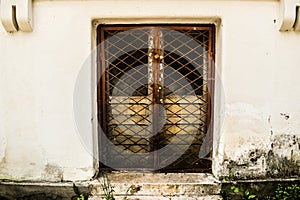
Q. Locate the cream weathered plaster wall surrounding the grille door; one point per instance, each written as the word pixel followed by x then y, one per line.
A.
pixel 257 108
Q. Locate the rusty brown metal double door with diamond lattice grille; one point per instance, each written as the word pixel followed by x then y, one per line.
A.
pixel 155 96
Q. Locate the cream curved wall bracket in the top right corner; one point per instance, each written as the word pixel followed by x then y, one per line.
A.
pixel 289 15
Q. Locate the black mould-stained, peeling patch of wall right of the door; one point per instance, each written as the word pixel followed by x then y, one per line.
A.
pixel 280 159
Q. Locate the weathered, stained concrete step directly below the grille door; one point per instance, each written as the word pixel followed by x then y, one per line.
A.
pixel 152 186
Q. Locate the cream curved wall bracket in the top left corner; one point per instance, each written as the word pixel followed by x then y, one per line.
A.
pixel 16 15
